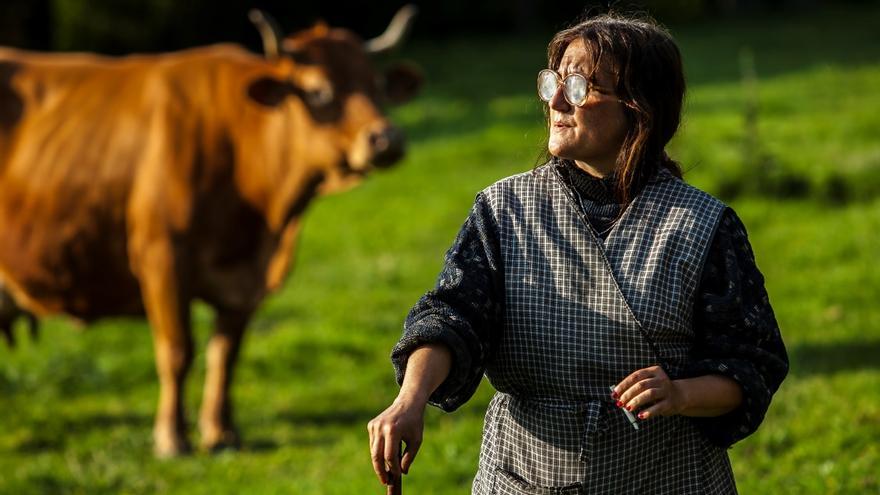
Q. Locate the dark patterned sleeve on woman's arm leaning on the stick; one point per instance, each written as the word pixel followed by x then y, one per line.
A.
pixel 463 311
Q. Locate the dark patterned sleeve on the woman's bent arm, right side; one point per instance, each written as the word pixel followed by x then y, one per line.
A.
pixel 737 333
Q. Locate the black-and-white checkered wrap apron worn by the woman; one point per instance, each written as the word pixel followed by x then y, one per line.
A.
pixel 580 316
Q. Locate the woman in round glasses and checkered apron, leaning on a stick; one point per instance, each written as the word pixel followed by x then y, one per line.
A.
pixel 617 311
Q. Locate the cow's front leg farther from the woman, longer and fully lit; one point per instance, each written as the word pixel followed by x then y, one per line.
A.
pixel 169 314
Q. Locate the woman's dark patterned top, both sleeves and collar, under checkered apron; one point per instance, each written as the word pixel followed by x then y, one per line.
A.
pixel 737 333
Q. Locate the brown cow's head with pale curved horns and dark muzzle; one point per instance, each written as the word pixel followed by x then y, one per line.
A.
pixel 324 79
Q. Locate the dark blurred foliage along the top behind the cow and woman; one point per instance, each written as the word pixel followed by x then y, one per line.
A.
pixel 123 26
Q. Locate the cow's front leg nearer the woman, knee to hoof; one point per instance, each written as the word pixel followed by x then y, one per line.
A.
pixel 215 420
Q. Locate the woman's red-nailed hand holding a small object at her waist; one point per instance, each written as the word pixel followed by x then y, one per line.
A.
pixel 650 391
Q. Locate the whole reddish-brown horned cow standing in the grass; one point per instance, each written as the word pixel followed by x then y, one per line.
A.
pixel 134 185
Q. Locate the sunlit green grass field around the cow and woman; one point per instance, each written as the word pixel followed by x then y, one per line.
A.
pixel 76 407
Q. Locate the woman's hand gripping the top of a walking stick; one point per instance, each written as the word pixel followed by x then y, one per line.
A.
pixel 403 421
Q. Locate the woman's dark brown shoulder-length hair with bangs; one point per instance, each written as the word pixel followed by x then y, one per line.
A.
pixel 649 80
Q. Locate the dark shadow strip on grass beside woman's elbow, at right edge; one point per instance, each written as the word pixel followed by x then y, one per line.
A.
pixel 811 359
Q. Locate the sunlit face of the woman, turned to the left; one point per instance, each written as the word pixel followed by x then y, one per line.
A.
pixel 592 133
